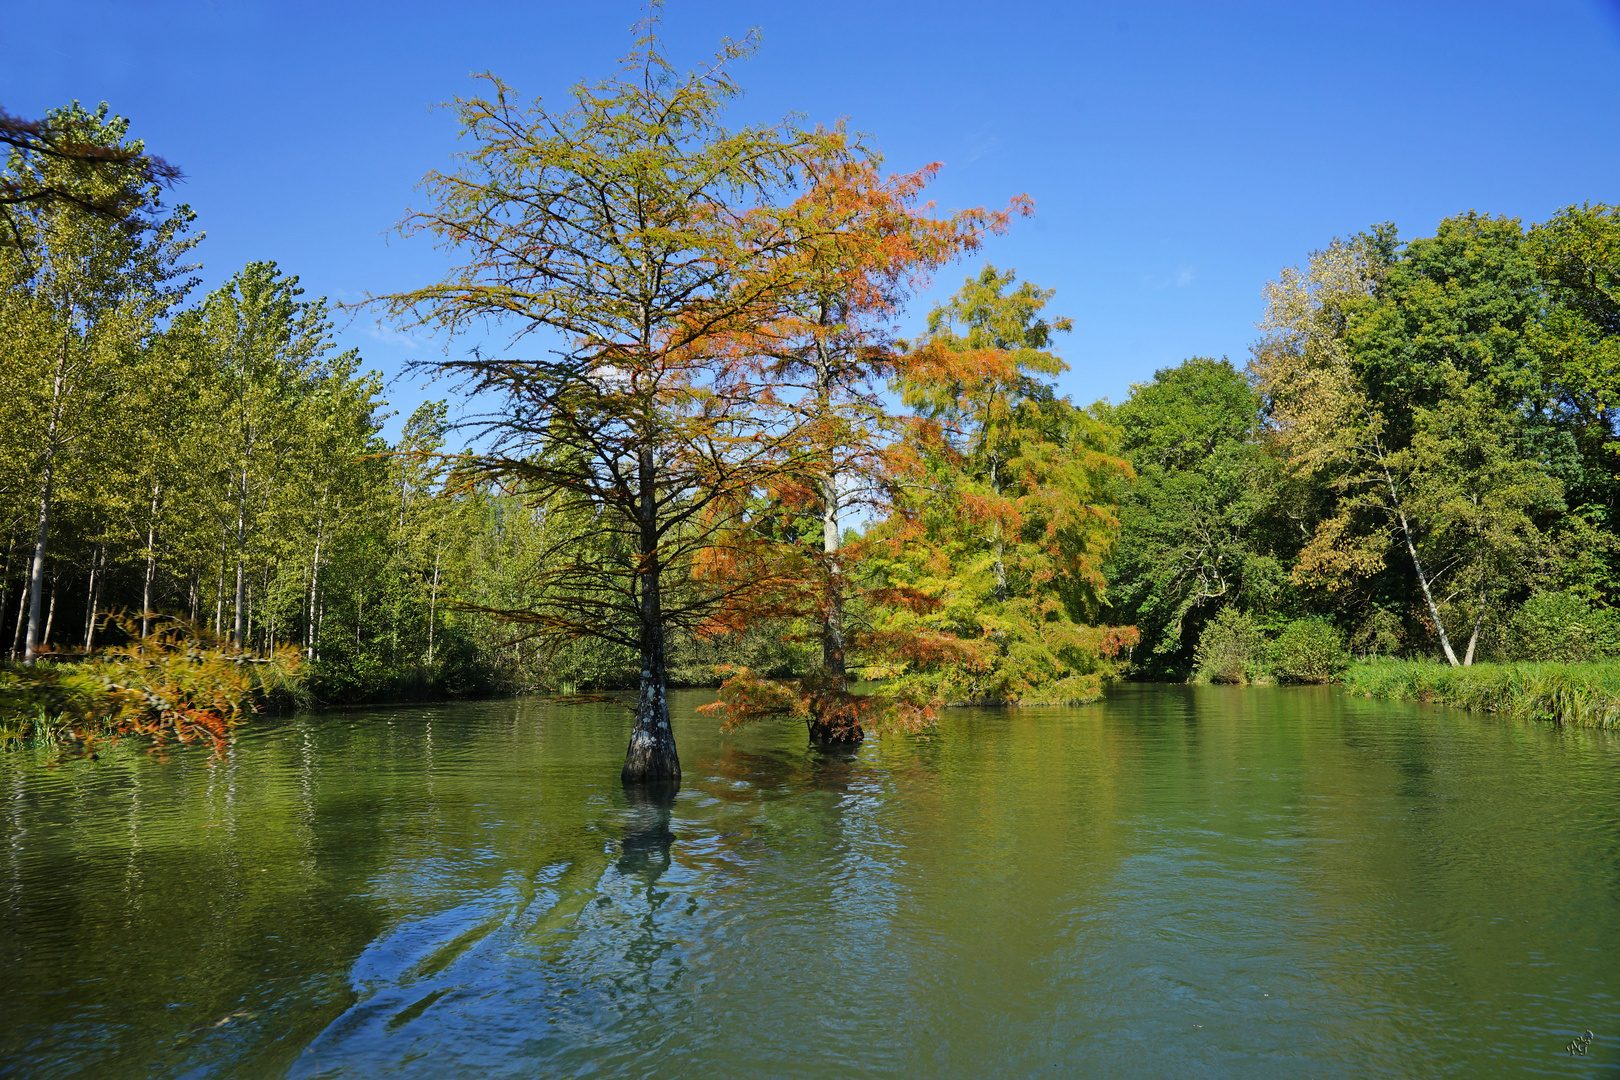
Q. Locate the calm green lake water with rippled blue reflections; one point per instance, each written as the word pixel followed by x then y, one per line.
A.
pixel 1175 883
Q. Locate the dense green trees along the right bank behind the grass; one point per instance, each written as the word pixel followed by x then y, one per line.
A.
pixel 1422 454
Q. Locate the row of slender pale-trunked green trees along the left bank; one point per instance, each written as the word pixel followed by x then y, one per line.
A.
pixel 218 459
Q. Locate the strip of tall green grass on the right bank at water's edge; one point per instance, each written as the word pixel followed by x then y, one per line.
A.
pixel 1585 695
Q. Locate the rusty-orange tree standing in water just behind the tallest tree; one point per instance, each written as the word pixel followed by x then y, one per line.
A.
pixel 824 365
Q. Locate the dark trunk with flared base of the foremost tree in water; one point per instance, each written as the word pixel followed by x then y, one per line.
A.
pixel 652 754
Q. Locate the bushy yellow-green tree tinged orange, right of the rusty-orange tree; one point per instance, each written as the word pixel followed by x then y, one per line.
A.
pixel 1021 500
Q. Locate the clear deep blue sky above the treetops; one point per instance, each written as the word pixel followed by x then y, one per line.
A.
pixel 1179 153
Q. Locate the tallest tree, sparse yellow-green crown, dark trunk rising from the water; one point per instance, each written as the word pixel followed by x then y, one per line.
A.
pixel 623 249
